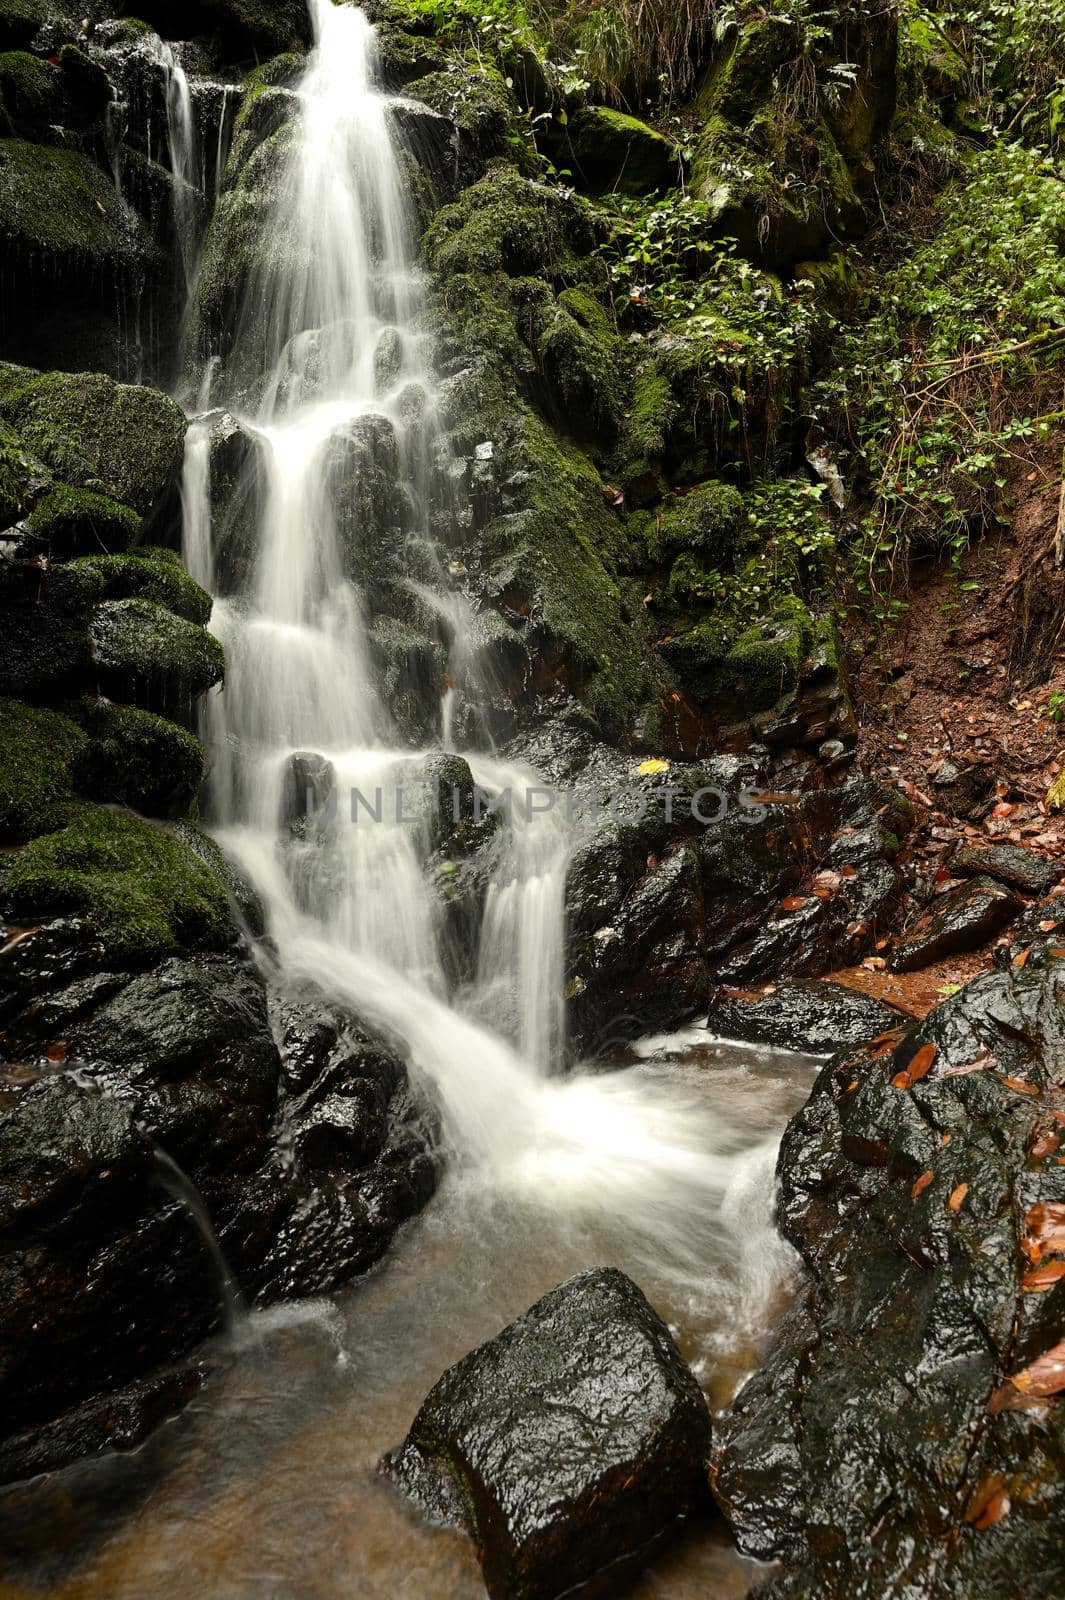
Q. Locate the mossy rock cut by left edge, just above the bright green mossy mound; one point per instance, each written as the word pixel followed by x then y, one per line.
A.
pixel 38 750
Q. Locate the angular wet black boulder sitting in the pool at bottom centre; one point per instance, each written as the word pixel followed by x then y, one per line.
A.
pixel 570 1447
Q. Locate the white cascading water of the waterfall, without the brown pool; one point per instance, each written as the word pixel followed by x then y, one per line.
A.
pixel 349 906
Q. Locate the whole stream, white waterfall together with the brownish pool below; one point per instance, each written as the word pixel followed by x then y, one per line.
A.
pixel 663 1167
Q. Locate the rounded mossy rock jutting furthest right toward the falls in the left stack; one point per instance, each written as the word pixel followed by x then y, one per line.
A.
pixel 143 650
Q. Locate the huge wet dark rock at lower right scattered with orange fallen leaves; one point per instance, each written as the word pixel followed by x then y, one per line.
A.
pixel 895 1439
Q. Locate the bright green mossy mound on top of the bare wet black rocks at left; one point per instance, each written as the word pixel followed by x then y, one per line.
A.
pixel 142 890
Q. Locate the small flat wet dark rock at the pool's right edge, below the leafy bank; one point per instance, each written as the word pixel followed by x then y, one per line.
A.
pixel 818 1018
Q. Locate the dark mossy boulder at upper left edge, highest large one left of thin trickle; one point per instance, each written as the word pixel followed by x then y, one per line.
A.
pixel 60 207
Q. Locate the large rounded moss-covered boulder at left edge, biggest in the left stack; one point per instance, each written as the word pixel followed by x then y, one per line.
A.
pixel 97 434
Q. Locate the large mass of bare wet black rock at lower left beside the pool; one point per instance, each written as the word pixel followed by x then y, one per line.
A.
pixel 301 1135
